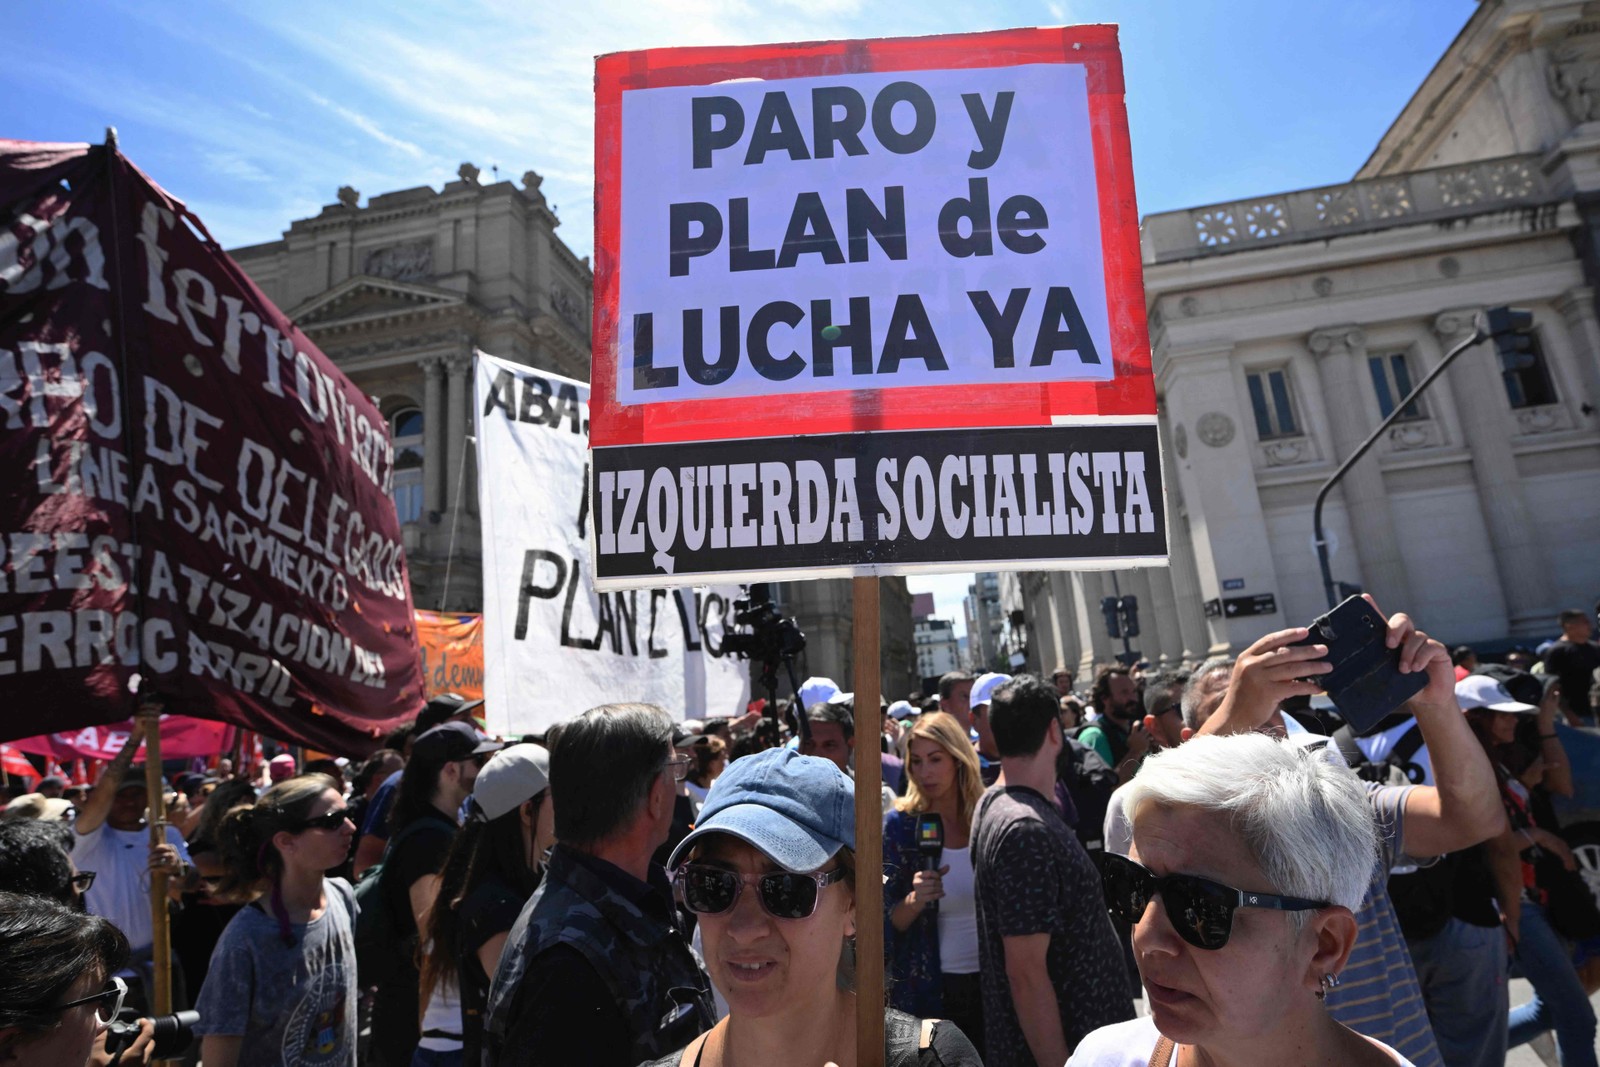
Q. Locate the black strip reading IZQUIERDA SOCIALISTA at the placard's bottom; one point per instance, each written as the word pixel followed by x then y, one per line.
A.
pixel 878 503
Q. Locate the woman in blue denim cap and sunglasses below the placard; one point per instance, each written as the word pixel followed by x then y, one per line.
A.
pixel 770 874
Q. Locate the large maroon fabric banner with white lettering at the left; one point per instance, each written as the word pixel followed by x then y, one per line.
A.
pixel 196 500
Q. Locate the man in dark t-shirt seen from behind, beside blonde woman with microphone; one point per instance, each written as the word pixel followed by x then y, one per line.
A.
pixel 1052 967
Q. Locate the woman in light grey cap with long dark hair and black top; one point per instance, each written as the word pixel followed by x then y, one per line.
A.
pixel 495 865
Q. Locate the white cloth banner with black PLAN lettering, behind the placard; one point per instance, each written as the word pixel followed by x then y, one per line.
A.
pixel 553 647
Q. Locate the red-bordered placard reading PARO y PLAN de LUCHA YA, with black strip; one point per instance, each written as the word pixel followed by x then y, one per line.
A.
pixel 870 308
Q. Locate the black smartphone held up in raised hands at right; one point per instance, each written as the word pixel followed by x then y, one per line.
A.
pixel 1366 682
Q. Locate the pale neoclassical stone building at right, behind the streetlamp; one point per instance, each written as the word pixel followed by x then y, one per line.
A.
pixel 1287 327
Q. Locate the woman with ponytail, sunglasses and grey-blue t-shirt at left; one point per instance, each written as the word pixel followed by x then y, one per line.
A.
pixel 282 981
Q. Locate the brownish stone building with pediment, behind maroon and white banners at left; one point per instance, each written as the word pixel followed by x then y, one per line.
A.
pixel 401 290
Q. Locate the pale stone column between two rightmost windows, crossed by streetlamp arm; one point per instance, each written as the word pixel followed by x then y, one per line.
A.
pixel 1489 428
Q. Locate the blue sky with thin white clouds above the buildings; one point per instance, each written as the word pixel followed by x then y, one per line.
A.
pixel 257 113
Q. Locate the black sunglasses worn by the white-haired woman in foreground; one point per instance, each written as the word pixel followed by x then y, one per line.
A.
pixel 1201 911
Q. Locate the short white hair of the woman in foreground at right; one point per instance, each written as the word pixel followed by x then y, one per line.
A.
pixel 1302 815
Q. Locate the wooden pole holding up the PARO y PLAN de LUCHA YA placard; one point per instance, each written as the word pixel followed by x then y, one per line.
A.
pixel 870 829
